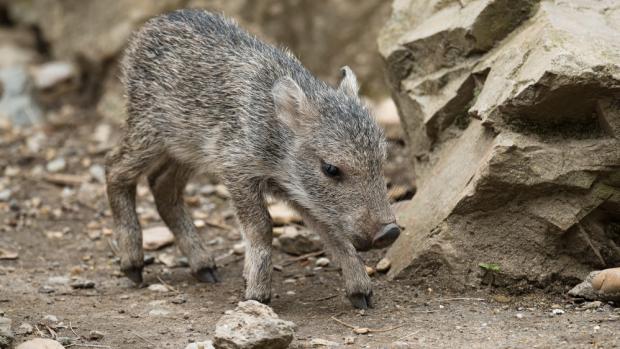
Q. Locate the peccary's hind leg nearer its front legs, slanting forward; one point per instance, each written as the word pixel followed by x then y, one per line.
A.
pixel 167 185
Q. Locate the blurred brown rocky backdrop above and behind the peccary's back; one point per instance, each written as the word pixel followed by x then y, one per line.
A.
pixel 69 50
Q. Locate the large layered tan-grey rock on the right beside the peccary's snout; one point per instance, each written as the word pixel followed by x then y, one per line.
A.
pixel 512 112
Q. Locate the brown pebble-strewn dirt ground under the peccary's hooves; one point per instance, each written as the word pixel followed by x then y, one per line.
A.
pixel 63 231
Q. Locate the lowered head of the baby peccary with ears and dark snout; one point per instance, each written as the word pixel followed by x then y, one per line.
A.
pixel 335 162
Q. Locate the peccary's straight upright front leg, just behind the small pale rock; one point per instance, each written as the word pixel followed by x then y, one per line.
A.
pixel 256 227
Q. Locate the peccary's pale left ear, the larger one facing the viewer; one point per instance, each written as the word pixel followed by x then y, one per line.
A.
pixel 291 102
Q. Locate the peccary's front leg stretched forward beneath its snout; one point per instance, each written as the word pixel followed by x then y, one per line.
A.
pixel 357 283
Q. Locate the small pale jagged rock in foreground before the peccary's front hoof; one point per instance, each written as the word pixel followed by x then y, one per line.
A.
pixel 252 325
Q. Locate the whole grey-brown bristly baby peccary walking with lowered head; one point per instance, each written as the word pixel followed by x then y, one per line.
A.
pixel 205 96
